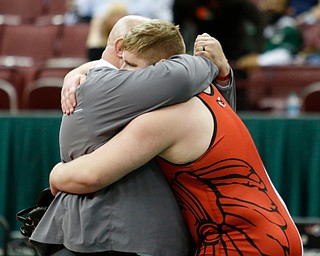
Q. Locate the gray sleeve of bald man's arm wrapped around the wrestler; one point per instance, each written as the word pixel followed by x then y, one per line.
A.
pixel 167 82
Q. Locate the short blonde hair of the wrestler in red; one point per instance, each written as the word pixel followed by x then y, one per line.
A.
pixel 154 40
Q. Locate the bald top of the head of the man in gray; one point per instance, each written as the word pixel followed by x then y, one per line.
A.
pixel 124 25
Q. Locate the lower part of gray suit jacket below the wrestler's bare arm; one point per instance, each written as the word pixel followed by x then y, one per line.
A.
pixel 137 214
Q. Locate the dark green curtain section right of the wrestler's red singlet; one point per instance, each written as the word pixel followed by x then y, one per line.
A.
pixel 290 150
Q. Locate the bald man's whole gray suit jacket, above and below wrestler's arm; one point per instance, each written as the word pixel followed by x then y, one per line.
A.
pixel 138 213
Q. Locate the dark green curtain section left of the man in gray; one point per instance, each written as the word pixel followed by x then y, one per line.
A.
pixel 29 149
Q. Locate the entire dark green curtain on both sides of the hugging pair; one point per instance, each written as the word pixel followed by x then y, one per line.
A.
pixel 289 148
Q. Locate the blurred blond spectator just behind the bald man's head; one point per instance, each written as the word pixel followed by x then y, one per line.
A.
pixel 100 27
